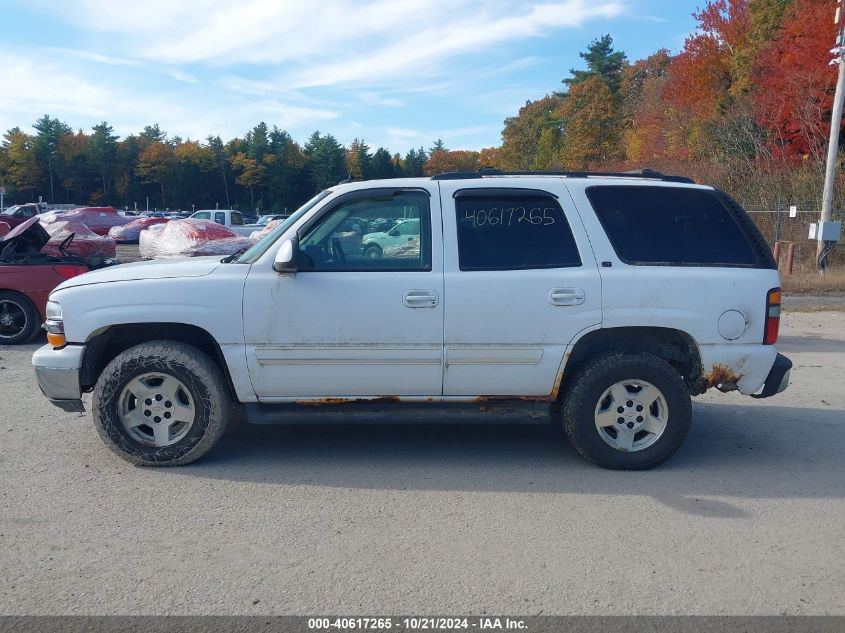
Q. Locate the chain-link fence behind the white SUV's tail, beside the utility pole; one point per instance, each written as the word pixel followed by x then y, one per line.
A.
pixel 776 223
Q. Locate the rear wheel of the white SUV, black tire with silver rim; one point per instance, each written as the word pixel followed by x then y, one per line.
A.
pixel 612 424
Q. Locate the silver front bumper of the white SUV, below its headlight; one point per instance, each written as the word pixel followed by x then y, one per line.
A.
pixel 57 373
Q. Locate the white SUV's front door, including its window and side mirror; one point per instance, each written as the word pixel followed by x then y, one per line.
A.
pixel 348 324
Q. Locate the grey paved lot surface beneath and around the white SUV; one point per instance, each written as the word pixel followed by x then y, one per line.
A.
pixel 747 519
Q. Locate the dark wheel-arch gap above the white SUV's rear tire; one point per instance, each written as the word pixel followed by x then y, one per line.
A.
pixel 676 347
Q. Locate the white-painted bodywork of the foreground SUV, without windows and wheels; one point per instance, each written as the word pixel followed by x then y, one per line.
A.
pixel 442 334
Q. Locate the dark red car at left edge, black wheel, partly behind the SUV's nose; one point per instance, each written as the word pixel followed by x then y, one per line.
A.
pixel 27 277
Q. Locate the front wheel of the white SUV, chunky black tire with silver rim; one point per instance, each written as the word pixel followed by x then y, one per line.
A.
pixel 150 382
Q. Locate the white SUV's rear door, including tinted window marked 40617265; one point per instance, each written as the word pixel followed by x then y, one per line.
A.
pixel 520 281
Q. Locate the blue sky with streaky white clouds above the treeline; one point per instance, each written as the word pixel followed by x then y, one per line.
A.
pixel 397 73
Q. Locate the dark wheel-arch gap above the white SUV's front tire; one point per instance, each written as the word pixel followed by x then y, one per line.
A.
pixel 104 344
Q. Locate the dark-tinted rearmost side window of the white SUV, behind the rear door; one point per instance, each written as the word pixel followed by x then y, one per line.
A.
pixel 673 226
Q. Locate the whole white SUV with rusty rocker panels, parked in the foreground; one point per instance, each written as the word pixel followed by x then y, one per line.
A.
pixel 605 300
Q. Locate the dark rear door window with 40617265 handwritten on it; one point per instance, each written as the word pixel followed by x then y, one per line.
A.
pixel 512 229
